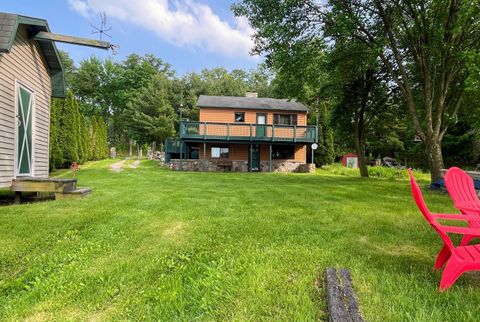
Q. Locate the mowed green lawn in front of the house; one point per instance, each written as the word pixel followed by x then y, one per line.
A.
pixel 151 244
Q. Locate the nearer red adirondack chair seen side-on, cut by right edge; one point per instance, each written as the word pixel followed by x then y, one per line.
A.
pixel 458 259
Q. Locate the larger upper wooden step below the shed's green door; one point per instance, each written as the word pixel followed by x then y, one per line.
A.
pixel 28 184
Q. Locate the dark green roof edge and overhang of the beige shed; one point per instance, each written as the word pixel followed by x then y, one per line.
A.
pixel 8 29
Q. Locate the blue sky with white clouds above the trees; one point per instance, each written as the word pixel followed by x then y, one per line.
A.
pixel 189 34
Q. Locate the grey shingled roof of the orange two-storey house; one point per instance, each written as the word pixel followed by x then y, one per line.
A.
pixel 253 103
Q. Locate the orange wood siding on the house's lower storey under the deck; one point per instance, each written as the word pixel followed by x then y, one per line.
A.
pixel 239 152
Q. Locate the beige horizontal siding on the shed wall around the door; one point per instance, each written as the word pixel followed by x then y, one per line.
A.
pixel 26 64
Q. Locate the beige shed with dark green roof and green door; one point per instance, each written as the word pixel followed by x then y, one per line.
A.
pixel 30 74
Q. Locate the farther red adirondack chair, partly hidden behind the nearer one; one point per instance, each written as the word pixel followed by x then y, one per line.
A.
pixel 462 191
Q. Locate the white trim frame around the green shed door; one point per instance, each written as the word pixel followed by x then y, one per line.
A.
pixel 18 85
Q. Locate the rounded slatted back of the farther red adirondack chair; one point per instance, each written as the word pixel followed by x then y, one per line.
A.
pixel 460 186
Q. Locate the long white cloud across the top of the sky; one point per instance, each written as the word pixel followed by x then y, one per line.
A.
pixel 184 23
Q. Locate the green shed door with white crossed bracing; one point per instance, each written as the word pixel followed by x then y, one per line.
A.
pixel 24 131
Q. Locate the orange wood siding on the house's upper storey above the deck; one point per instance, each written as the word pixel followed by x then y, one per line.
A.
pixel 226 115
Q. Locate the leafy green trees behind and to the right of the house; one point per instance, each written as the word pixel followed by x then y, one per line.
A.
pixel 338 59
